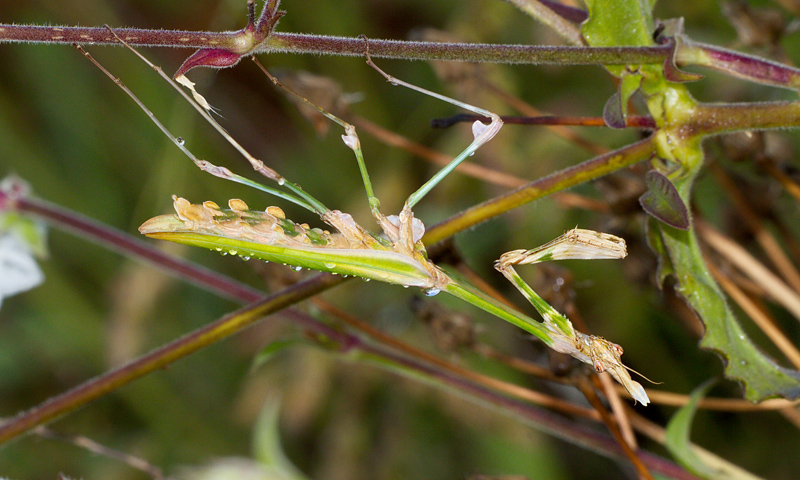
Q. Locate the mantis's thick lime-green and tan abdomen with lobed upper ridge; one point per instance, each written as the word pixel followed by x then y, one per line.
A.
pixel 397 257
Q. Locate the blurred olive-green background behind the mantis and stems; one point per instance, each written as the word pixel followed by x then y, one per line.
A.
pixel 81 143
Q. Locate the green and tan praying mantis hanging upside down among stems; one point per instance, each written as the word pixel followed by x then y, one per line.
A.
pixel 395 256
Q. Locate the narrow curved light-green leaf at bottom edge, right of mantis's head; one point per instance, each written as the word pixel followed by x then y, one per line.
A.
pixel 678 430
